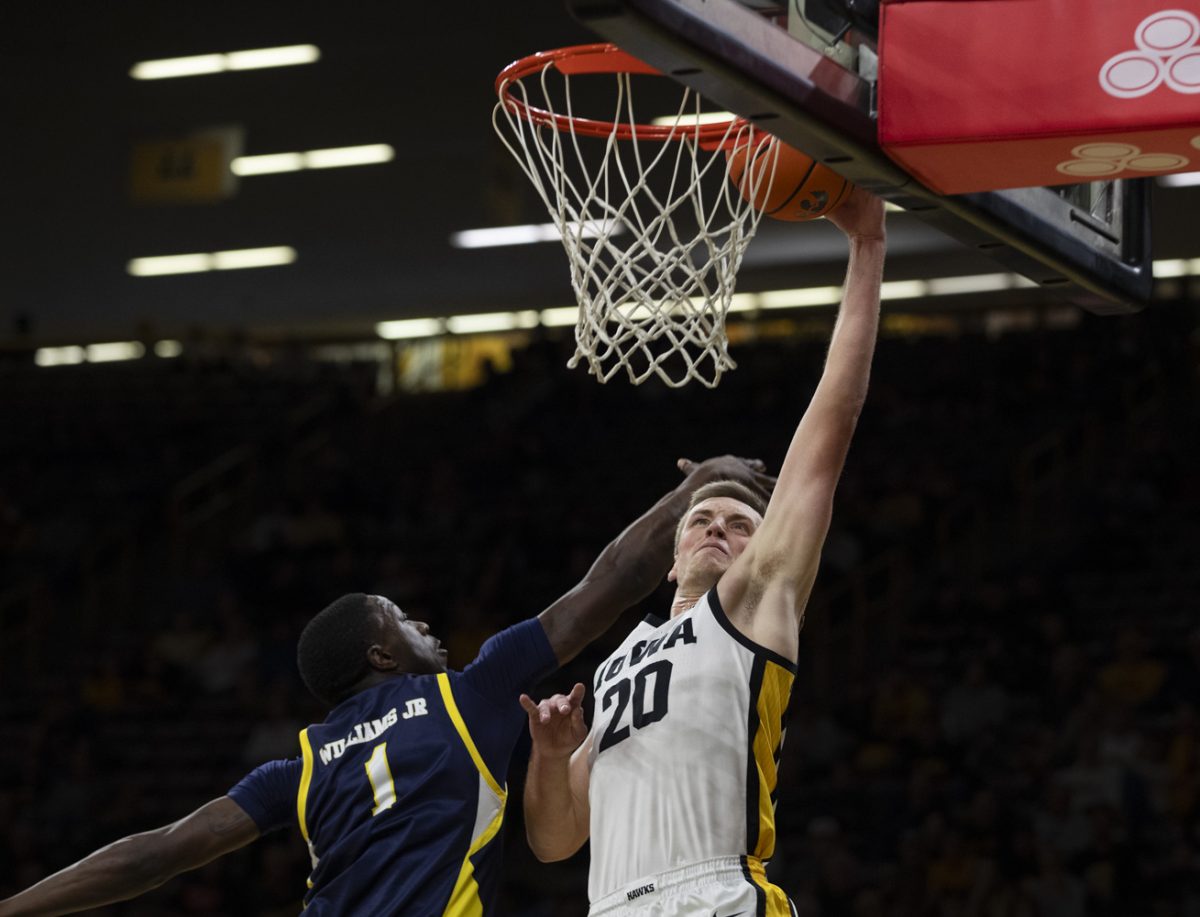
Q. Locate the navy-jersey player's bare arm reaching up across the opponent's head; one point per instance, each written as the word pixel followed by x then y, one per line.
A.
pixel 637 561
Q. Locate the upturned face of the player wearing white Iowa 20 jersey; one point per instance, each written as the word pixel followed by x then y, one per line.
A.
pixel 715 535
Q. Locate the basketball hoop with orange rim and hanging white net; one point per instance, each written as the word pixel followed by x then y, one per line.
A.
pixel 653 229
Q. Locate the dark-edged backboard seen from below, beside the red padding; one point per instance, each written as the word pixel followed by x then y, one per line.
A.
pixel 1091 242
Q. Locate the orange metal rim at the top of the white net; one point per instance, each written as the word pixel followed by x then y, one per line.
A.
pixel 599 58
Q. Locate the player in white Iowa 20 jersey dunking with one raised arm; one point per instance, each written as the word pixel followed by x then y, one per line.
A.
pixel 676 781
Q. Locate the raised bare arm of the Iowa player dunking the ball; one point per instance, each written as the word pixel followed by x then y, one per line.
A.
pixel 769 586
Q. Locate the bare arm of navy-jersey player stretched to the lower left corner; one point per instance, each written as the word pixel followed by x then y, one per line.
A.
pixel 136 865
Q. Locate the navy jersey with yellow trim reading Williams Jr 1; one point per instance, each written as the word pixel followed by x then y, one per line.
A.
pixel 400 792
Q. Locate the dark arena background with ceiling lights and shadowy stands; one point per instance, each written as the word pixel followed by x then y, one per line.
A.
pixel 1000 675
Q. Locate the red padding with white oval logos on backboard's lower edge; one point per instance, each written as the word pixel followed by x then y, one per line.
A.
pixel 980 95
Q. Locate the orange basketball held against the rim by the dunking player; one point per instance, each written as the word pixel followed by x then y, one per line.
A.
pixel 802 188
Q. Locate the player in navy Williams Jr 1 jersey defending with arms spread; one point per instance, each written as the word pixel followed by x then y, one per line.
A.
pixel 400 793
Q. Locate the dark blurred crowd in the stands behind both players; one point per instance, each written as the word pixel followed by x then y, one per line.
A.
pixel 1013 732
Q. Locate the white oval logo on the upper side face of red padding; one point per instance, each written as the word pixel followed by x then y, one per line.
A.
pixel 1168 52
